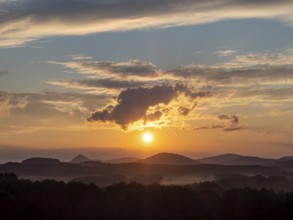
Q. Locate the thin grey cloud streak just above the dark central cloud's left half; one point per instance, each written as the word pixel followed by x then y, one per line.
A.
pixel 98 83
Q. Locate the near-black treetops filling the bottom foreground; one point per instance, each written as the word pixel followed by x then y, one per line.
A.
pixel 23 199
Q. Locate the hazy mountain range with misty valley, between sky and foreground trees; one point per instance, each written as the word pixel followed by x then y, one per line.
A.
pixel 159 167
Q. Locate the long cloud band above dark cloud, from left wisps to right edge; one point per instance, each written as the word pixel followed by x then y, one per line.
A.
pixel 251 68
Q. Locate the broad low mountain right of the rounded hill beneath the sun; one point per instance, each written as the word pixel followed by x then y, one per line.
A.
pixel 235 159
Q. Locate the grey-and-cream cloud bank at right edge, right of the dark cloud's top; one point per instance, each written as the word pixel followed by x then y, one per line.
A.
pixel 251 68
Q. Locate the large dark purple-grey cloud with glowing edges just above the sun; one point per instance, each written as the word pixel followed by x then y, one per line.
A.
pixel 133 104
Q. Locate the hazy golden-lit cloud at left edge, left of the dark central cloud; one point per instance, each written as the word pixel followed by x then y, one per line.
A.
pixel 40 105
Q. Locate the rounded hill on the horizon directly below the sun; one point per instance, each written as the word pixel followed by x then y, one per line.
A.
pixel 169 158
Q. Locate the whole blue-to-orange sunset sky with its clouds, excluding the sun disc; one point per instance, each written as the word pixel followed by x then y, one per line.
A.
pixel 92 76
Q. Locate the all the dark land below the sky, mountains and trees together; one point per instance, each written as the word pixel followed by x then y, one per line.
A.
pixel 163 186
